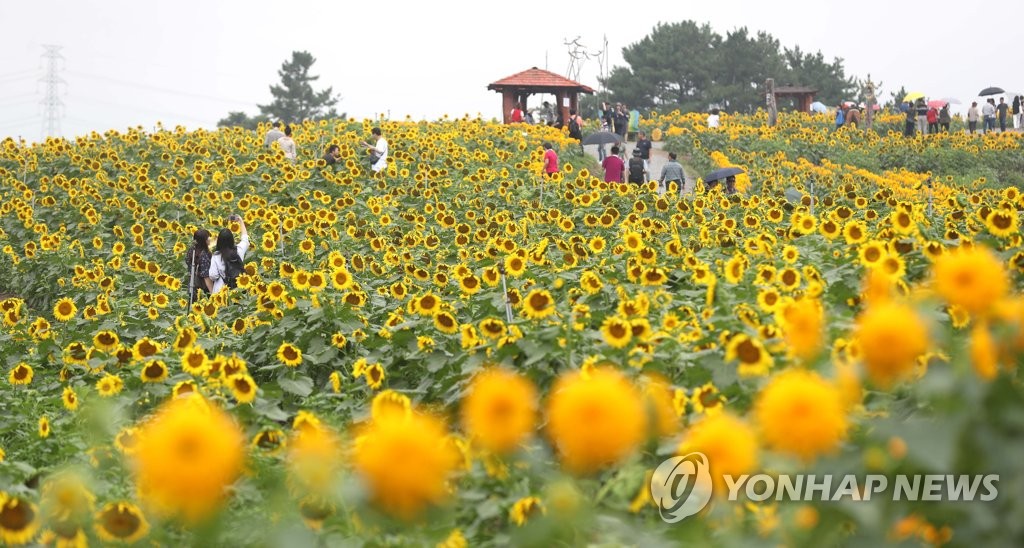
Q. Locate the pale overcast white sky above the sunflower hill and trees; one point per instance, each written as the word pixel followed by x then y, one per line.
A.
pixel 187 62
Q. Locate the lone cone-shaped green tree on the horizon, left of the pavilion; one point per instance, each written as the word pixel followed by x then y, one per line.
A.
pixel 294 99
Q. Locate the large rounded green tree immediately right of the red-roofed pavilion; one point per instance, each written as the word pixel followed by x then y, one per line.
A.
pixel 672 67
